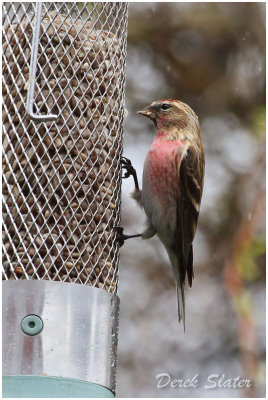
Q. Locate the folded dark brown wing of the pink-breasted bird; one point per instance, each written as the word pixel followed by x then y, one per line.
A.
pixel 190 172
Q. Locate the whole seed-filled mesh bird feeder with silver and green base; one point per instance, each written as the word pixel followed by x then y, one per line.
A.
pixel 63 111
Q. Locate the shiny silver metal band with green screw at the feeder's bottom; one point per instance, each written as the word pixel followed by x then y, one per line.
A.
pixel 58 330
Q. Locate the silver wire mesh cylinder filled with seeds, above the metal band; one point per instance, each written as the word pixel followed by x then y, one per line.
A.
pixel 62 178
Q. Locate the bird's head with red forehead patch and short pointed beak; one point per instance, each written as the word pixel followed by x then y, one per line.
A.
pixel 167 114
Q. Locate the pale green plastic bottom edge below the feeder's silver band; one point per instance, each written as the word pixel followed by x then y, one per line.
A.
pixel 48 386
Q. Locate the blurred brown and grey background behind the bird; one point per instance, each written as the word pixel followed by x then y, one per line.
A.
pixel 211 56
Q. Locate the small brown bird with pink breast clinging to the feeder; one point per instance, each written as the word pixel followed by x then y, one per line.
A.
pixel 172 186
